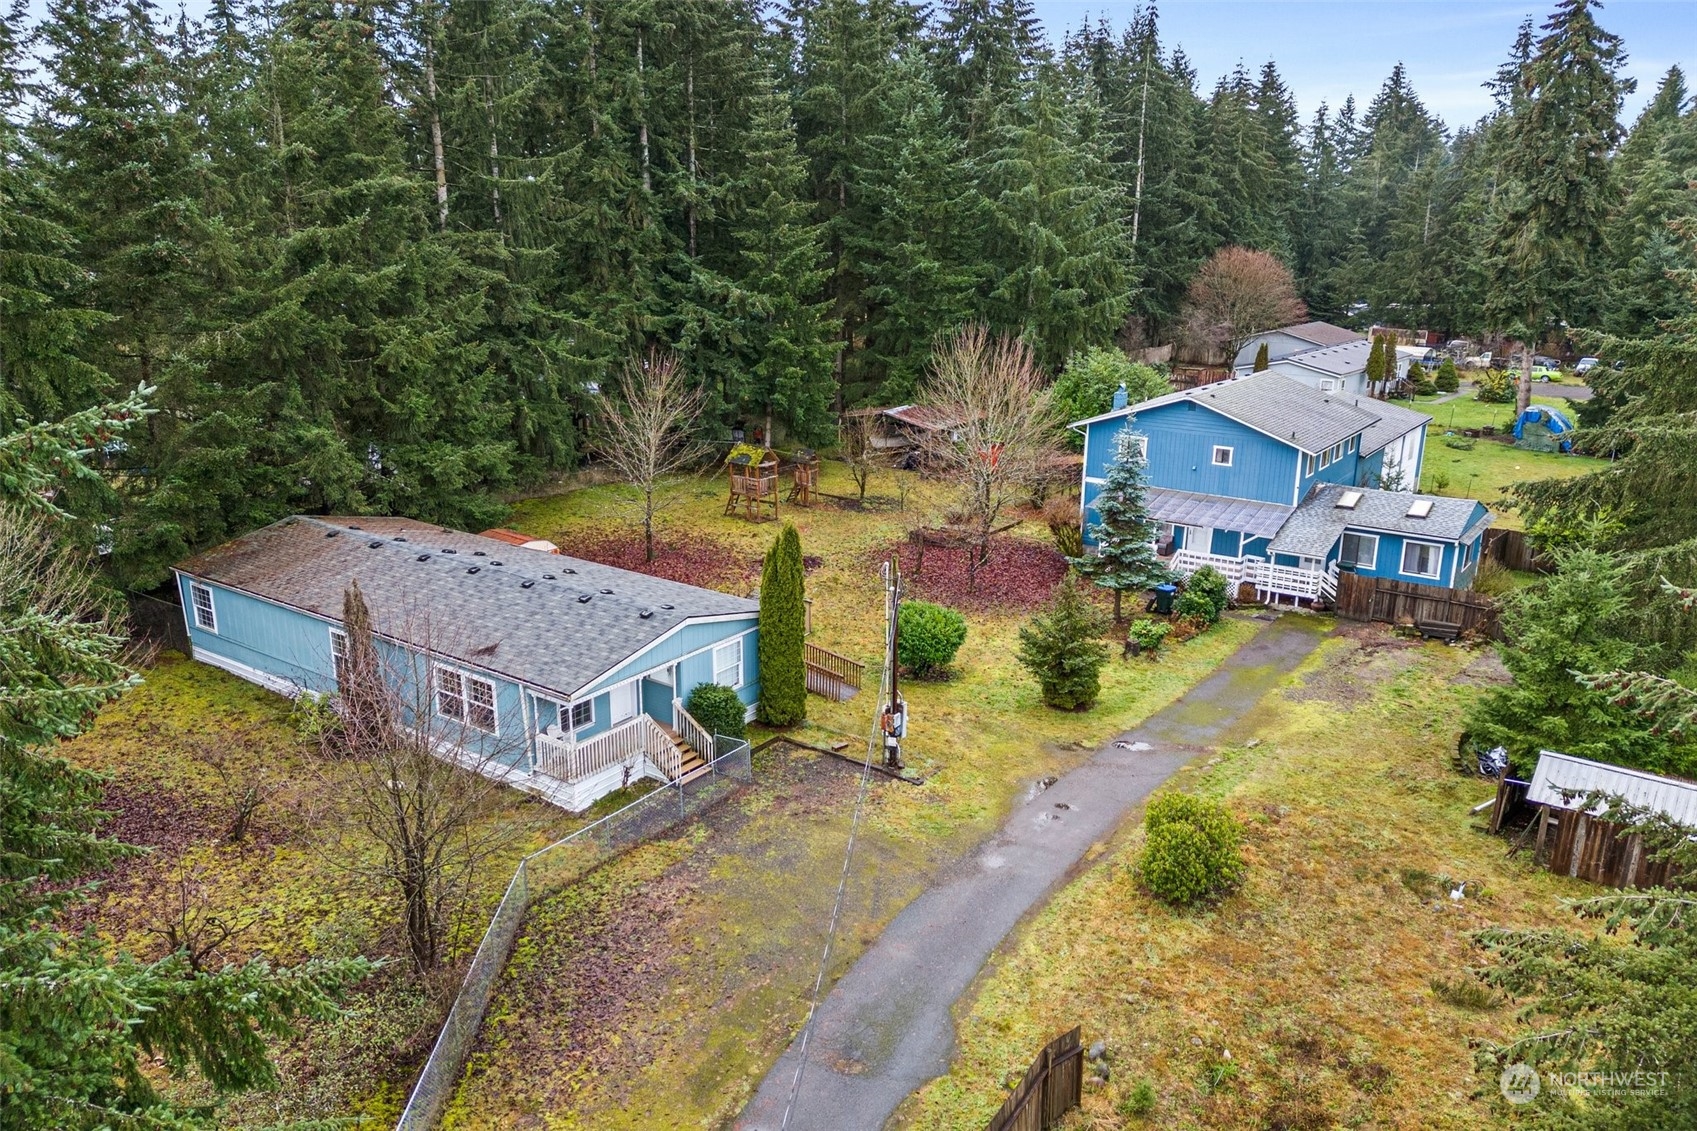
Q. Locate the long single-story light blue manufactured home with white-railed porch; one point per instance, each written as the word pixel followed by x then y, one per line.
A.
pixel 559 675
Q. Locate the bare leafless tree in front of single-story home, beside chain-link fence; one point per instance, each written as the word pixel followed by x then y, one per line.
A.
pixel 417 750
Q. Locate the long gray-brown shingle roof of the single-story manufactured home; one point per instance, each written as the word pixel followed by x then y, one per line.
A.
pixel 544 634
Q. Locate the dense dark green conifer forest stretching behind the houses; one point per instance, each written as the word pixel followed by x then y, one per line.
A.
pixel 379 257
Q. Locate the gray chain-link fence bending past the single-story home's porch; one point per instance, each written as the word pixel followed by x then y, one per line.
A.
pixel 539 875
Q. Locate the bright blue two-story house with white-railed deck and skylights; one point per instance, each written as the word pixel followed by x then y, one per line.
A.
pixel 1236 464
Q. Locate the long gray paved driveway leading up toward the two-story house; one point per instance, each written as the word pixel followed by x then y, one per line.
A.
pixel 887 1027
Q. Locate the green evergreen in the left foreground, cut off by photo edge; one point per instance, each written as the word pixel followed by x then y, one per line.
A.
pixel 77 1021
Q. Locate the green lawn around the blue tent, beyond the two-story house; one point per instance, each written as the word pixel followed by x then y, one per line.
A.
pixel 1491 466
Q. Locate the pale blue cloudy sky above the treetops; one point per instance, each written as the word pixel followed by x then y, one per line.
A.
pixel 1328 50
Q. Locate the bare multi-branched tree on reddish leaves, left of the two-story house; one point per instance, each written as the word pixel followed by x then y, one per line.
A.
pixel 1000 427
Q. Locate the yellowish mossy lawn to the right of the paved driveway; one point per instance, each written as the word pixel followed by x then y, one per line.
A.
pixel 1306 999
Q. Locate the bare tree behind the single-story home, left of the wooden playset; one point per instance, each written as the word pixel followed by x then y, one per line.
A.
pixel 644 429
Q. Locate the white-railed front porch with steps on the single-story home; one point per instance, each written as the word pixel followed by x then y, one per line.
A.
pixel 581 774
